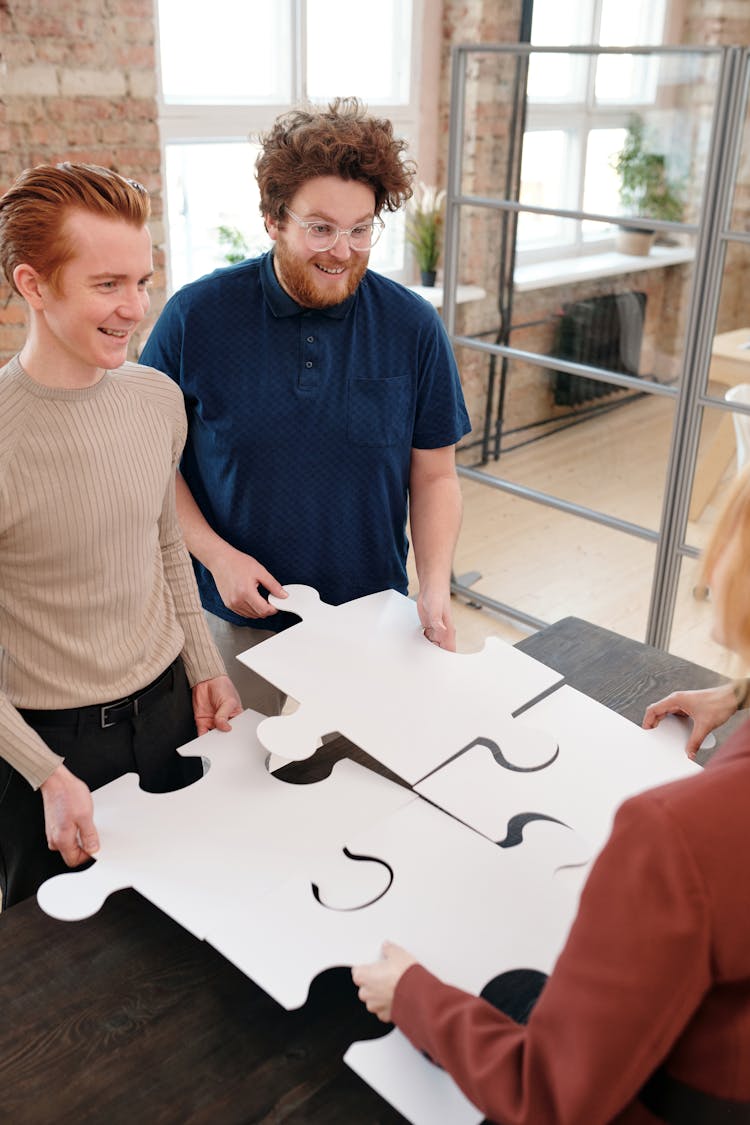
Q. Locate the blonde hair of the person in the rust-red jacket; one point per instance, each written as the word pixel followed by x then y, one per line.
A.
pixel 730 544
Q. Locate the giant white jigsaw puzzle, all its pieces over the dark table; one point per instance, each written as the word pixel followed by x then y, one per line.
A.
pixel 249 862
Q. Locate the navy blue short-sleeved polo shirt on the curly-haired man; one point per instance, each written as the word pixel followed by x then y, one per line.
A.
pixel 302 424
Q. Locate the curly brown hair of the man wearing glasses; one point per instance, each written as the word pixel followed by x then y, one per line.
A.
pixel 344 141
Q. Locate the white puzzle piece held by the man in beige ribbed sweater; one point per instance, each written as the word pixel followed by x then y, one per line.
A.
pixel 207 854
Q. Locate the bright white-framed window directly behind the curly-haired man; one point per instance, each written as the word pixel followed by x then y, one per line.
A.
pixel 224 79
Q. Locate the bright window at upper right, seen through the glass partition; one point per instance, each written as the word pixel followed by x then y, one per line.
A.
pixel 579 109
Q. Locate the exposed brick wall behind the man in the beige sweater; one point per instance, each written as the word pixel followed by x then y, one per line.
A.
pixel 78 83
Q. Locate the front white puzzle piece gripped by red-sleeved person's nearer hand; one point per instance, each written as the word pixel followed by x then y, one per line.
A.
pixel 462 905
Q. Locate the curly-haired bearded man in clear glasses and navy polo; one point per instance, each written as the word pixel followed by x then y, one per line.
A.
pixel 323 399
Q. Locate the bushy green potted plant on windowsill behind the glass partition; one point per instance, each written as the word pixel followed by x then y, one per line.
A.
pixel 646 190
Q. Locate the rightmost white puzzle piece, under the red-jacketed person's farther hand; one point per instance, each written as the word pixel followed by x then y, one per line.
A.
pixel 603 760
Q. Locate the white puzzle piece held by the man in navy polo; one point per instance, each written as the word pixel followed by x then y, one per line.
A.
pixel 366 670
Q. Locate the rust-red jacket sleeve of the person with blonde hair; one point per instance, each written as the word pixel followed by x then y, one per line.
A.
pixel 635 969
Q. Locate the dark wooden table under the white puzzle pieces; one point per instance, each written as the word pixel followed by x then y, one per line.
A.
pixel 126 1018
